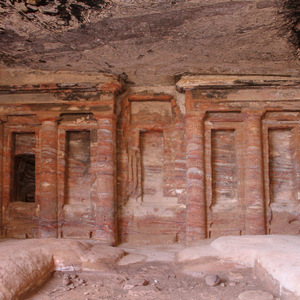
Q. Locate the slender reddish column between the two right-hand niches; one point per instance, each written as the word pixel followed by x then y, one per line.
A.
pixel 254 189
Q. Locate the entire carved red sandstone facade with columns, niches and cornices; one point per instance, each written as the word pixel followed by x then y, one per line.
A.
pixel 151 170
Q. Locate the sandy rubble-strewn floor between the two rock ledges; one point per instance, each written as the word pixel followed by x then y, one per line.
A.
pixel 152 279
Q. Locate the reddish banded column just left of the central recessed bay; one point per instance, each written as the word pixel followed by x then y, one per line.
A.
pixel 106 181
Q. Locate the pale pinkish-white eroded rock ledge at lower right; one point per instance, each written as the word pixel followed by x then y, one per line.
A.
pixel 274 258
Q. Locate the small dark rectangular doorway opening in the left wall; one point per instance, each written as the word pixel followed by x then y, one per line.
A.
pixel 24 178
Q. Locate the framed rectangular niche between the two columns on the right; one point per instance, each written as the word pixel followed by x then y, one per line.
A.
pixel 225 214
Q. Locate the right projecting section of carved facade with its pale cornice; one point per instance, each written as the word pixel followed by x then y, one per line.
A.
pixel 242 158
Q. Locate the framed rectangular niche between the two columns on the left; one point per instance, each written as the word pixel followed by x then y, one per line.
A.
pixel 77 160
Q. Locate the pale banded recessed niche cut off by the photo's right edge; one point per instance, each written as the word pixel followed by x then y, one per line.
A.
pixel 283 190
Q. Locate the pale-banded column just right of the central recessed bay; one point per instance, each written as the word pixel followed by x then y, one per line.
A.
pixel 196 206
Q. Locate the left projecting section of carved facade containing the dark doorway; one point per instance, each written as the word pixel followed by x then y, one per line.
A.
pixel 71 138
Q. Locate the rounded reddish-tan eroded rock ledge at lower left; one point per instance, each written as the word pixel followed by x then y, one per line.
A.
pixel 26 264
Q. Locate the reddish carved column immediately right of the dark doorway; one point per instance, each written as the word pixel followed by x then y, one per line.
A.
pixel 48 179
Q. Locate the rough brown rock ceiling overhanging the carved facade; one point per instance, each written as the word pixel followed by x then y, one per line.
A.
pixel 152 41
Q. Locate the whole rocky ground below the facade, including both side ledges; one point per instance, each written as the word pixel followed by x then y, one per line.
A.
pixel 264 266
